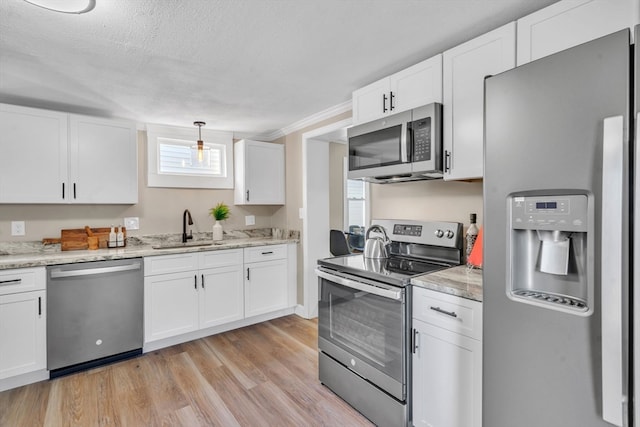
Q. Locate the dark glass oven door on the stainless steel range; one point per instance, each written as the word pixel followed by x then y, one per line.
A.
pixel 367 326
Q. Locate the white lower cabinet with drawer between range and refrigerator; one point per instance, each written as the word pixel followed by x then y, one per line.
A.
pixel 447 360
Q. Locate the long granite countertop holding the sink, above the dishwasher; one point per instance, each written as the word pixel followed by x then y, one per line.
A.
pixel 35 254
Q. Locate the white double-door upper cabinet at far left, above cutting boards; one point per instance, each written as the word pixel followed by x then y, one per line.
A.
pixel 53 157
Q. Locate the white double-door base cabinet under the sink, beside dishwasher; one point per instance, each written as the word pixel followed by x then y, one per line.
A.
pixel 187 292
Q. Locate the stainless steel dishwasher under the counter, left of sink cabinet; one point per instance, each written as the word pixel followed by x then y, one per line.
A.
pixel 94 314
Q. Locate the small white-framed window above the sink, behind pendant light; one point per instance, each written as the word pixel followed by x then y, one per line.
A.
pixel 173 159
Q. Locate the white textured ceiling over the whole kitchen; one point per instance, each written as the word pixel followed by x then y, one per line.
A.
pixel 248 66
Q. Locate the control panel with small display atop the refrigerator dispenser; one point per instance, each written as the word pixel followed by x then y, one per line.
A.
pixel 564 213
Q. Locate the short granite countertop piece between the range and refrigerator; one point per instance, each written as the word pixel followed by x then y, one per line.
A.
pixel 460 281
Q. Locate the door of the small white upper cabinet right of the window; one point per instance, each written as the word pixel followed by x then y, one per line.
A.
pixel 263 173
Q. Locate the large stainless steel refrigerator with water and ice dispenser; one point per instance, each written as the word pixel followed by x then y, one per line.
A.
pixel 558 247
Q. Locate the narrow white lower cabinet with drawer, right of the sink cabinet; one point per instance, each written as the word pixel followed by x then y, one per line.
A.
pixel 266 280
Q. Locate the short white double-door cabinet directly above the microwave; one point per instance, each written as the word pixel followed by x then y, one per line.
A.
pixel 412 87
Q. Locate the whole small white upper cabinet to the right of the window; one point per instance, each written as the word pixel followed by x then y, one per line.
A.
pixel 259 173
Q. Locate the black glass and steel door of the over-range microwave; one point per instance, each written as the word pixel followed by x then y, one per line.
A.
pixel 380 148
